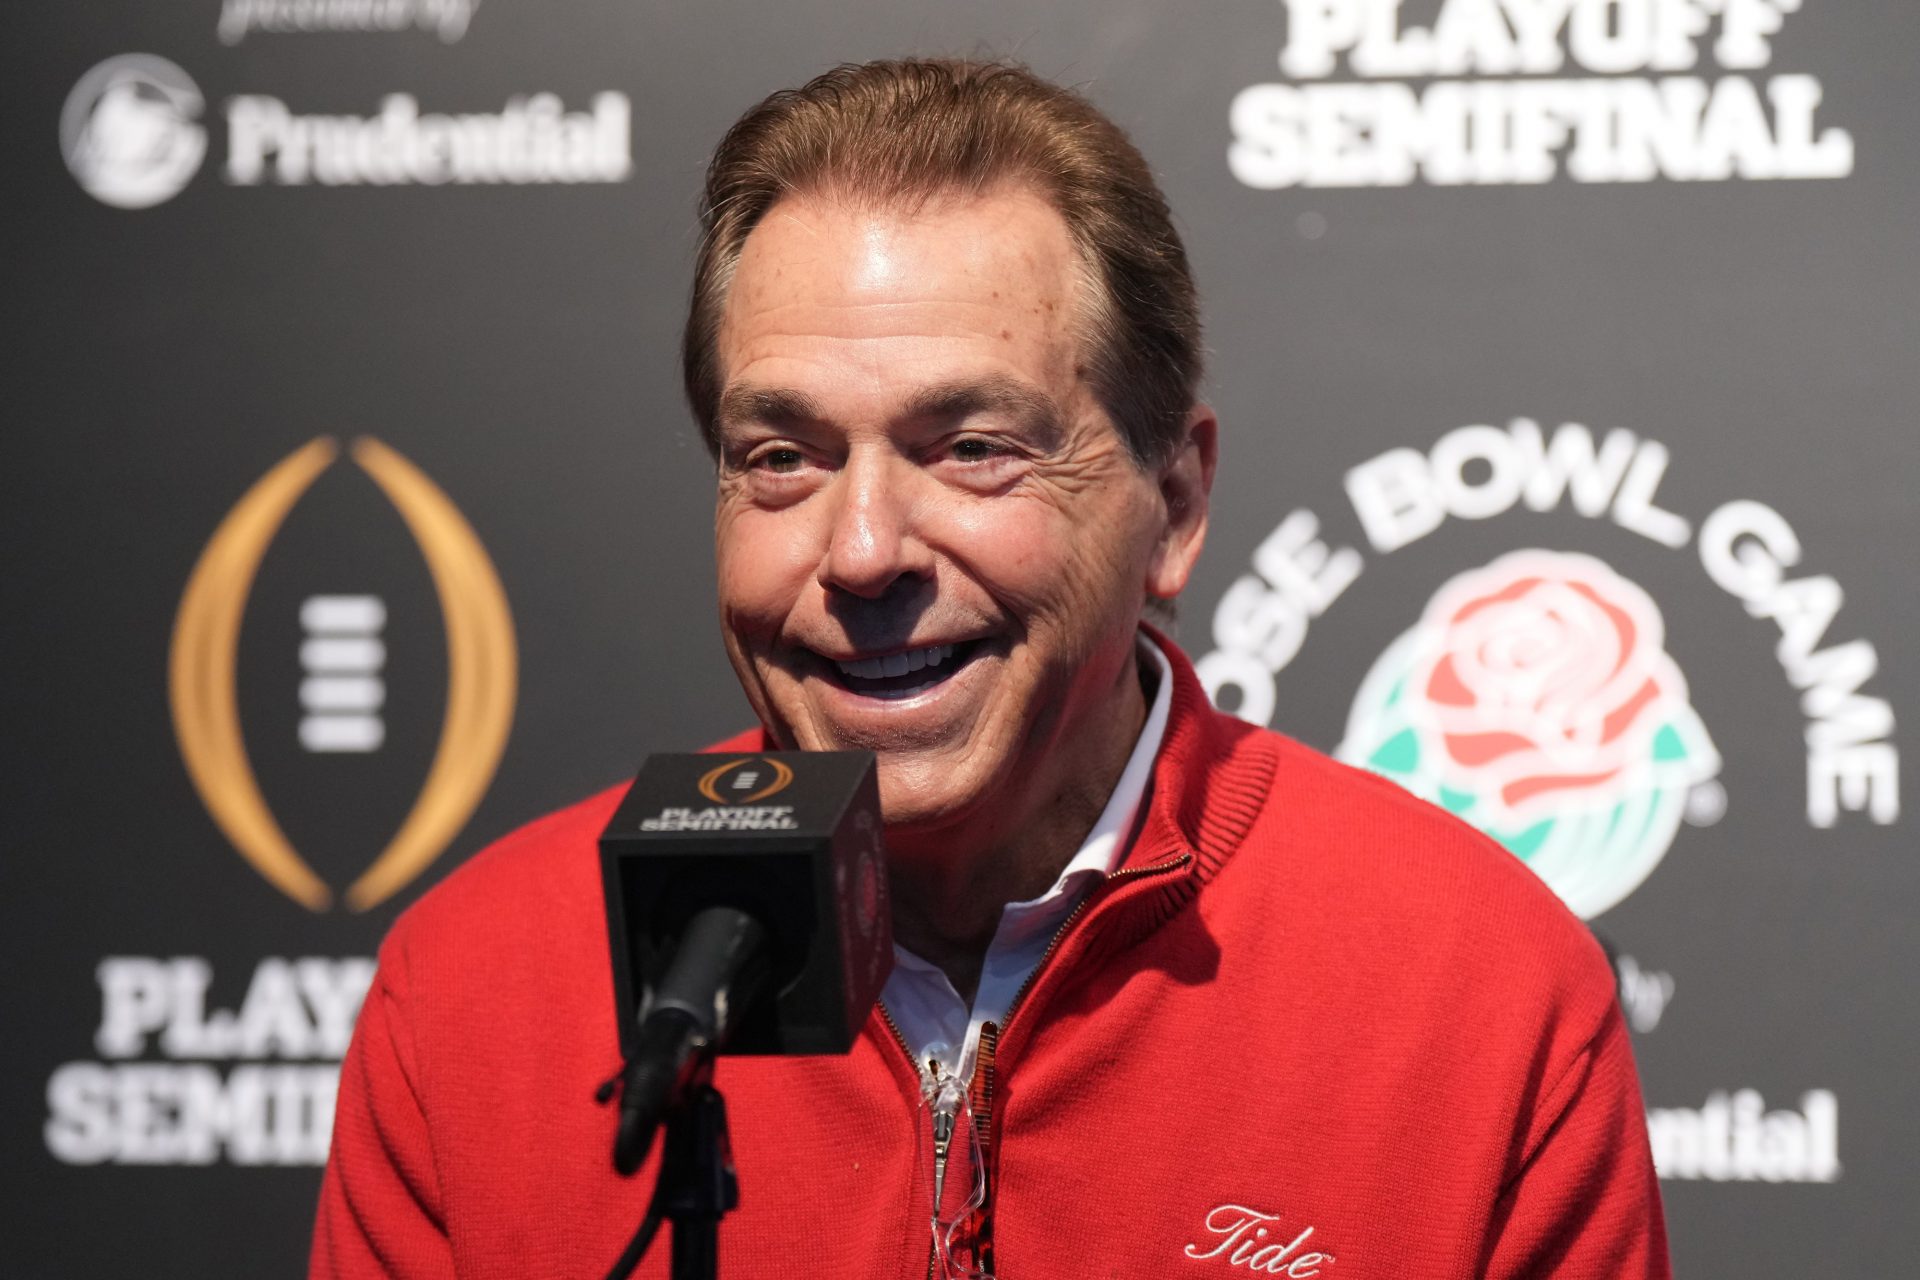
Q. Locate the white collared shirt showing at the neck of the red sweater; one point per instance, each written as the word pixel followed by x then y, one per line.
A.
pixel 926 1007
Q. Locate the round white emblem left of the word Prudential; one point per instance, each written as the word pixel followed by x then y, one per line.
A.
pixel 132 131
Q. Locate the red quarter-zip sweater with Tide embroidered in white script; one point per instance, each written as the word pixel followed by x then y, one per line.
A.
pixel 1312 1028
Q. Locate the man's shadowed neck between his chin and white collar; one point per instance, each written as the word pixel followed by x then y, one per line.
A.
pixel 949 889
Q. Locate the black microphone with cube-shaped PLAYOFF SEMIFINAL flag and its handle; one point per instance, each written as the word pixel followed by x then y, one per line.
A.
pixel 746 913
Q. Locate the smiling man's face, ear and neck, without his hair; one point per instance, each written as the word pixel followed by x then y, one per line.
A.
pixel 934 544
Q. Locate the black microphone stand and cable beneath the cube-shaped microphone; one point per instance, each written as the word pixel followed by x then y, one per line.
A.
pixel 696 1185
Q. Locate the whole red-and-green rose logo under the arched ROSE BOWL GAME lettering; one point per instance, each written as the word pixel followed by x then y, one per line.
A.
pixel 1537 701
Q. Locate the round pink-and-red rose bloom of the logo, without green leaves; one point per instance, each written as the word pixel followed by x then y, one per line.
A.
pixel 1545 680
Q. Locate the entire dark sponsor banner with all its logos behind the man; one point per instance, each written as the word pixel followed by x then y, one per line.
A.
pixel 1568 364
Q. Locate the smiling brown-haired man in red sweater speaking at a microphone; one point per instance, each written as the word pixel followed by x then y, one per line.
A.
pixel 1191 997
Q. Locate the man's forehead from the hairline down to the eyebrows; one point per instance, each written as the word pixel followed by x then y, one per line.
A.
pixel 928 312
